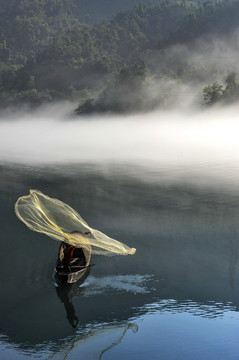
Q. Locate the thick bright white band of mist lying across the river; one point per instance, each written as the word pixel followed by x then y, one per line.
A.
pixel 160 140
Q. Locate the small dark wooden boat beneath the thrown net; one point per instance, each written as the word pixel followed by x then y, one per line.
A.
pixel 78 266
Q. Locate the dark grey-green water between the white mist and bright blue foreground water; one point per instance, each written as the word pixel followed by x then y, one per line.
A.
pixel 196 227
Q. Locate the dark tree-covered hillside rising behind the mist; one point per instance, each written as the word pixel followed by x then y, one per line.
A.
pixel 47 52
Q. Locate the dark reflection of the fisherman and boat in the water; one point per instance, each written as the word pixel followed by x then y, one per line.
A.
pixel 63 292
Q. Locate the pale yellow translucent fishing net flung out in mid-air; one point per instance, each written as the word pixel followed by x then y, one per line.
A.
pixel 59 221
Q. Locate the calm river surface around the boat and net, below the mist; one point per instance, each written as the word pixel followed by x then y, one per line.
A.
pixel 176 298
